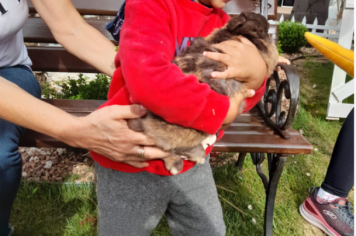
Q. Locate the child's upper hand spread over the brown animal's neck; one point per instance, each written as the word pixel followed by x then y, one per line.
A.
pixel 244 62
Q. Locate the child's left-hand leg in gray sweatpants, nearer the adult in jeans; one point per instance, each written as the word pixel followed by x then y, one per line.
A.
pixel 130 204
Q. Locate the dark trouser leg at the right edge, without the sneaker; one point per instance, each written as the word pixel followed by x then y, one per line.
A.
pixel 339 178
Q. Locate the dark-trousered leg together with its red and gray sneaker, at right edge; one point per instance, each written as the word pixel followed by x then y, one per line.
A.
pixel 327 207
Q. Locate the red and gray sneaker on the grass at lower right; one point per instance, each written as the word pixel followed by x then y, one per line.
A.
pixel 334 218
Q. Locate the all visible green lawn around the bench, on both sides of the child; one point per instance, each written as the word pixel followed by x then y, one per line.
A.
pixel 42 209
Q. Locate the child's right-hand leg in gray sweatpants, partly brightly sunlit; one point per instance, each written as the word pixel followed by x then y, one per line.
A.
pixel 194 208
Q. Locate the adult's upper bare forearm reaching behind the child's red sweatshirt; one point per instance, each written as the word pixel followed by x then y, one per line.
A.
pixel 75 35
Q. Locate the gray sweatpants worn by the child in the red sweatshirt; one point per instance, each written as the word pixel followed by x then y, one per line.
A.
pixel 132 204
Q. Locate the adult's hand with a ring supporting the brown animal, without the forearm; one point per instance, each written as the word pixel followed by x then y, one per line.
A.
pixel 105 131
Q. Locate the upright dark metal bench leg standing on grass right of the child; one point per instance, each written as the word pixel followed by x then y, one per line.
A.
pixel 275 166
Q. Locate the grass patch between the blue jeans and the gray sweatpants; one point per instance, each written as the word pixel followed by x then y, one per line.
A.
pixel 52 209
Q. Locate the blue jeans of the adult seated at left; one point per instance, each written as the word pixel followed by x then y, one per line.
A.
pixel 10 134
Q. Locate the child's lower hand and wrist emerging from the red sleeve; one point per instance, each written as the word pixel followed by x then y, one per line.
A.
pixel 235 106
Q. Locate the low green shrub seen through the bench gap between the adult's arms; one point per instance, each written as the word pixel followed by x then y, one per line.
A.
pixel 81 89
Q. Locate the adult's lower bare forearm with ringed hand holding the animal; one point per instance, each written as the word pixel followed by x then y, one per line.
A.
pixel 104 131
